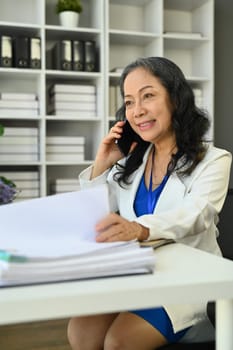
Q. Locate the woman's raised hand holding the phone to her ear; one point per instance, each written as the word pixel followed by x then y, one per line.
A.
pixel 108 152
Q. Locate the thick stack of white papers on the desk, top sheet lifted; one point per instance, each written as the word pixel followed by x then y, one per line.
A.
pixel 53 239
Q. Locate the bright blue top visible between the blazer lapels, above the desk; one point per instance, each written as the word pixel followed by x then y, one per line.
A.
pixel 145 200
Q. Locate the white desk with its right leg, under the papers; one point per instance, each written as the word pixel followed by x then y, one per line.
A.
pixel 183 274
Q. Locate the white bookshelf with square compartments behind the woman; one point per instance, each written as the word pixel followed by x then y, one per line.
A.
pixel 182 30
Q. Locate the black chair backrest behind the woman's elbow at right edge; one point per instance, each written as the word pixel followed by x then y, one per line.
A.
pixel 225 226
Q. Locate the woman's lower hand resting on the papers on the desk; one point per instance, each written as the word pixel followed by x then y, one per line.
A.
pixel 115 228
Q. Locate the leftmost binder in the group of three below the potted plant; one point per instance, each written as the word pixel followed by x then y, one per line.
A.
pixel 62 55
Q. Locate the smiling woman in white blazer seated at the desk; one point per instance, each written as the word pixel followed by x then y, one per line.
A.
pixel 171 185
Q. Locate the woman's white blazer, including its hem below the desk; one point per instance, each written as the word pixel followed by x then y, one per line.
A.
pixel 187 211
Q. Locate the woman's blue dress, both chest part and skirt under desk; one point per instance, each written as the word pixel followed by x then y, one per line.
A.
pixel 144 203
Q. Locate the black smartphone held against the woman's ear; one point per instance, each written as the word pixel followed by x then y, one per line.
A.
pixel 128 136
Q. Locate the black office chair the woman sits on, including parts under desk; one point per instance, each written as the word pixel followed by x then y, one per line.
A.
pixel 225 241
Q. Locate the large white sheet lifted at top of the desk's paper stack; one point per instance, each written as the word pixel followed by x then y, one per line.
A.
pixel 53 225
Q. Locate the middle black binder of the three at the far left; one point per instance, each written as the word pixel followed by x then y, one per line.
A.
pixel 21 52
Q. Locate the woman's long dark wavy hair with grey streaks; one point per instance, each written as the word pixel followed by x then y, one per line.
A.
pixel 189 123
